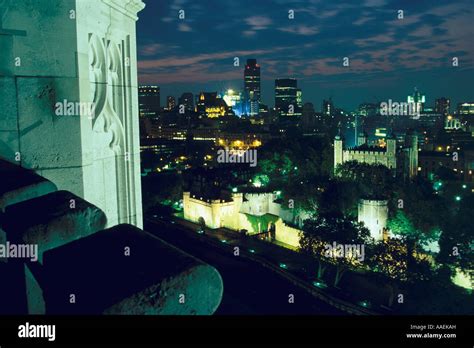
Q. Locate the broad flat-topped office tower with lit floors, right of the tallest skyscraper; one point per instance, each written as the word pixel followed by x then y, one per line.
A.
pixel 286 102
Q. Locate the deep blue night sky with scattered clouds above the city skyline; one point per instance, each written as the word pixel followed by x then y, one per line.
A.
pixel 388 56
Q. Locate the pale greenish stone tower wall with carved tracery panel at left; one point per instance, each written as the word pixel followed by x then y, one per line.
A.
pixel 69 98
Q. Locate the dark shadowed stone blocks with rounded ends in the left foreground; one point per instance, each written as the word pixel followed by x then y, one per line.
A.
pixel 83 268
